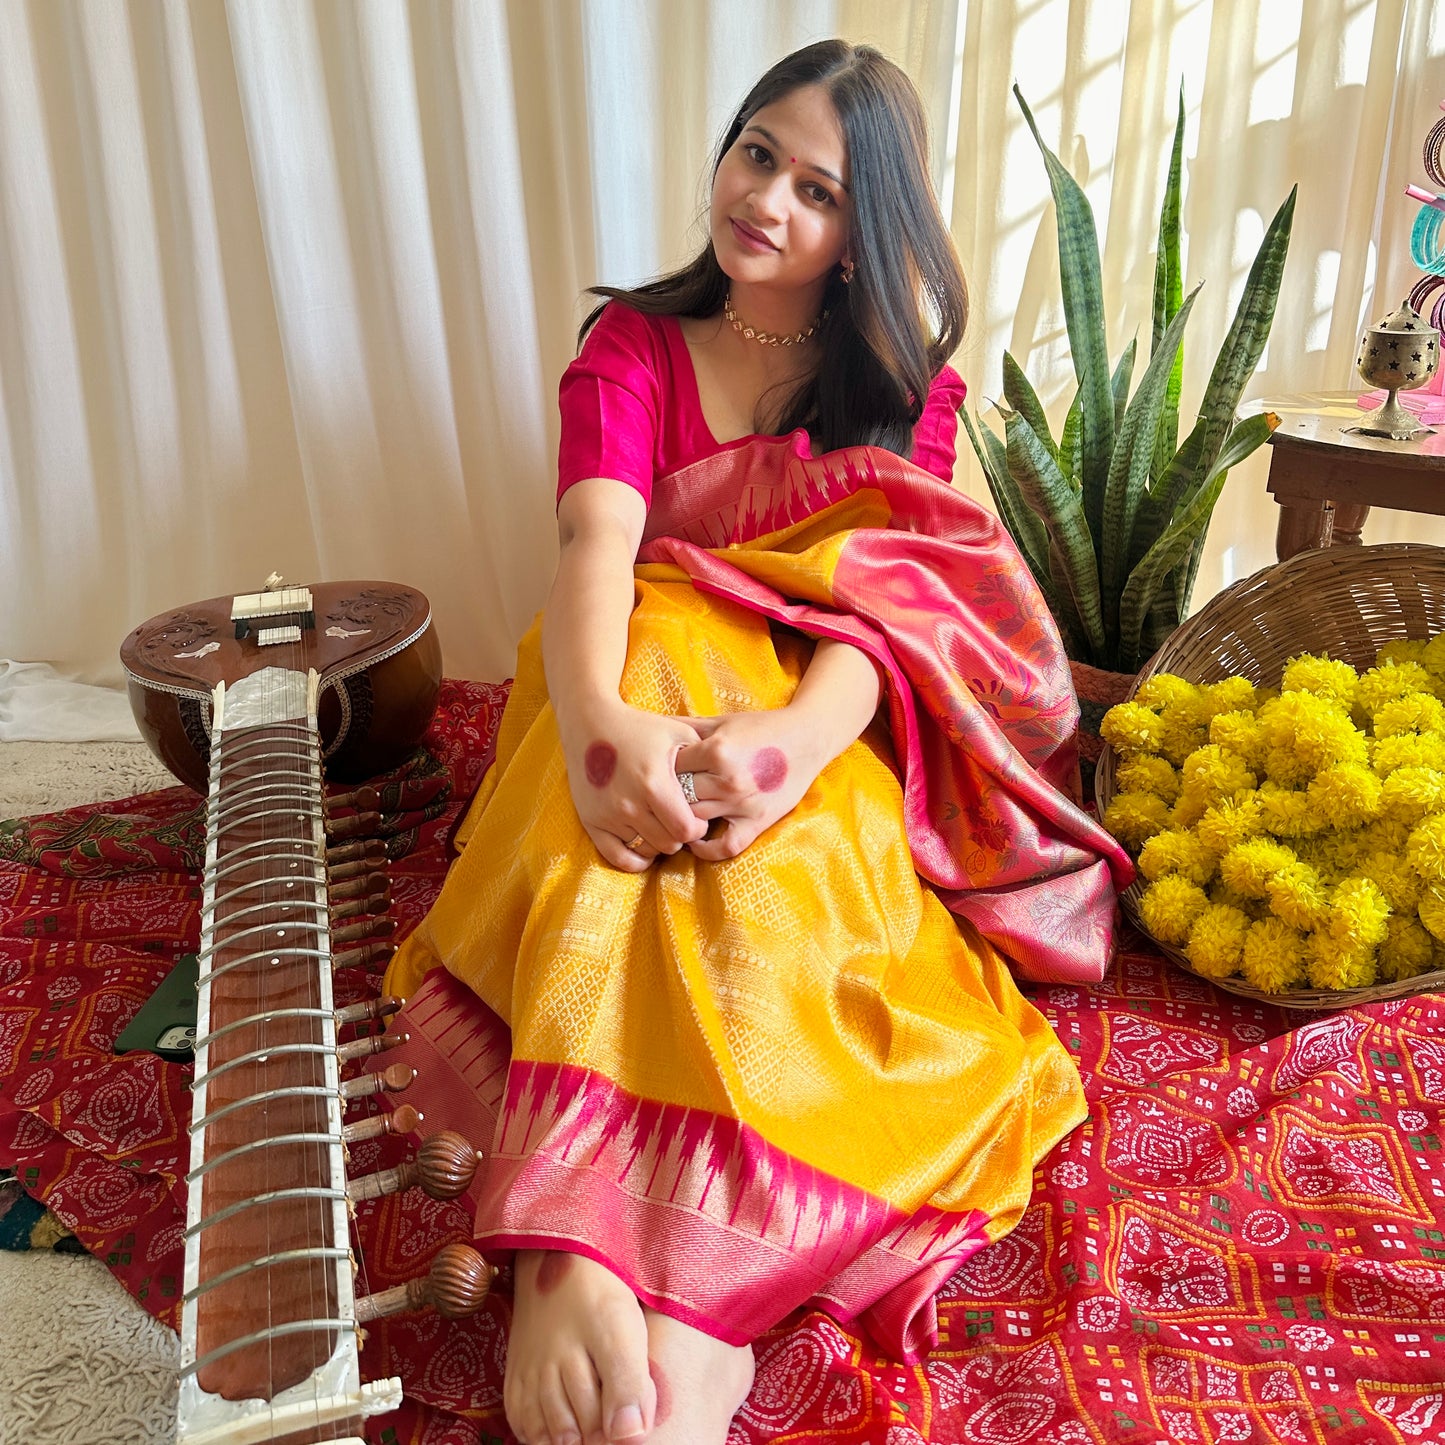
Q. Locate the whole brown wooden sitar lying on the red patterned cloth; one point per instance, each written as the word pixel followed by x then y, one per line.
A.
pixel 255 702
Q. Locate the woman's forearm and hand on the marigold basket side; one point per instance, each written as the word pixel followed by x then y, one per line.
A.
pixel 754 768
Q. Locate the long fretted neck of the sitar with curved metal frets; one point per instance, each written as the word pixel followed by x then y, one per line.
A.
pixel 269 1333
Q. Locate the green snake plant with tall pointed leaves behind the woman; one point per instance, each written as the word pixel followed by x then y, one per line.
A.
pixel 1112 517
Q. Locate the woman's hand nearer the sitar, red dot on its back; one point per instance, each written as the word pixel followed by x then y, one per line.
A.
pixel 622 771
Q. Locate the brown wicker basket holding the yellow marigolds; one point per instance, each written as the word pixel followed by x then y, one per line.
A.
pixel 1347 603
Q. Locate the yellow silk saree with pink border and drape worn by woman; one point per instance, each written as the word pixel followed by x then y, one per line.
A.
pixel 806 1074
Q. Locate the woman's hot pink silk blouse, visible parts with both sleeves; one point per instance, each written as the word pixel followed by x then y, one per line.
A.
pixel 631 407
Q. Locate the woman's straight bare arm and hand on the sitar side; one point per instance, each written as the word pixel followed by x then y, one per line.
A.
pixel 619 759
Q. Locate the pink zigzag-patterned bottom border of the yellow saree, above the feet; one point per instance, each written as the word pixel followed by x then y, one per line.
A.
pixel 723 1230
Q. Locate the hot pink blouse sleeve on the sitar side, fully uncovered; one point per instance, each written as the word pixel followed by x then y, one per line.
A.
pixel 612 401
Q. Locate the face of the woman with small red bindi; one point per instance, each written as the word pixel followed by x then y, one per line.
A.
pixel 781 207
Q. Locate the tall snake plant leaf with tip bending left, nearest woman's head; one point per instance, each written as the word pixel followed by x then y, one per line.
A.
pixel 1084 314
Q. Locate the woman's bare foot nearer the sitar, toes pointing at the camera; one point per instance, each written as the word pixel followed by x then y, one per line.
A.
pixel 577 1360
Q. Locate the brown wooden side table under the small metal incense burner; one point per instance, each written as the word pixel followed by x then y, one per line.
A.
pixel 1327 482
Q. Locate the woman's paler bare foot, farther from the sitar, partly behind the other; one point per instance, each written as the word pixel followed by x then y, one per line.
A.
pixel 702 1382
